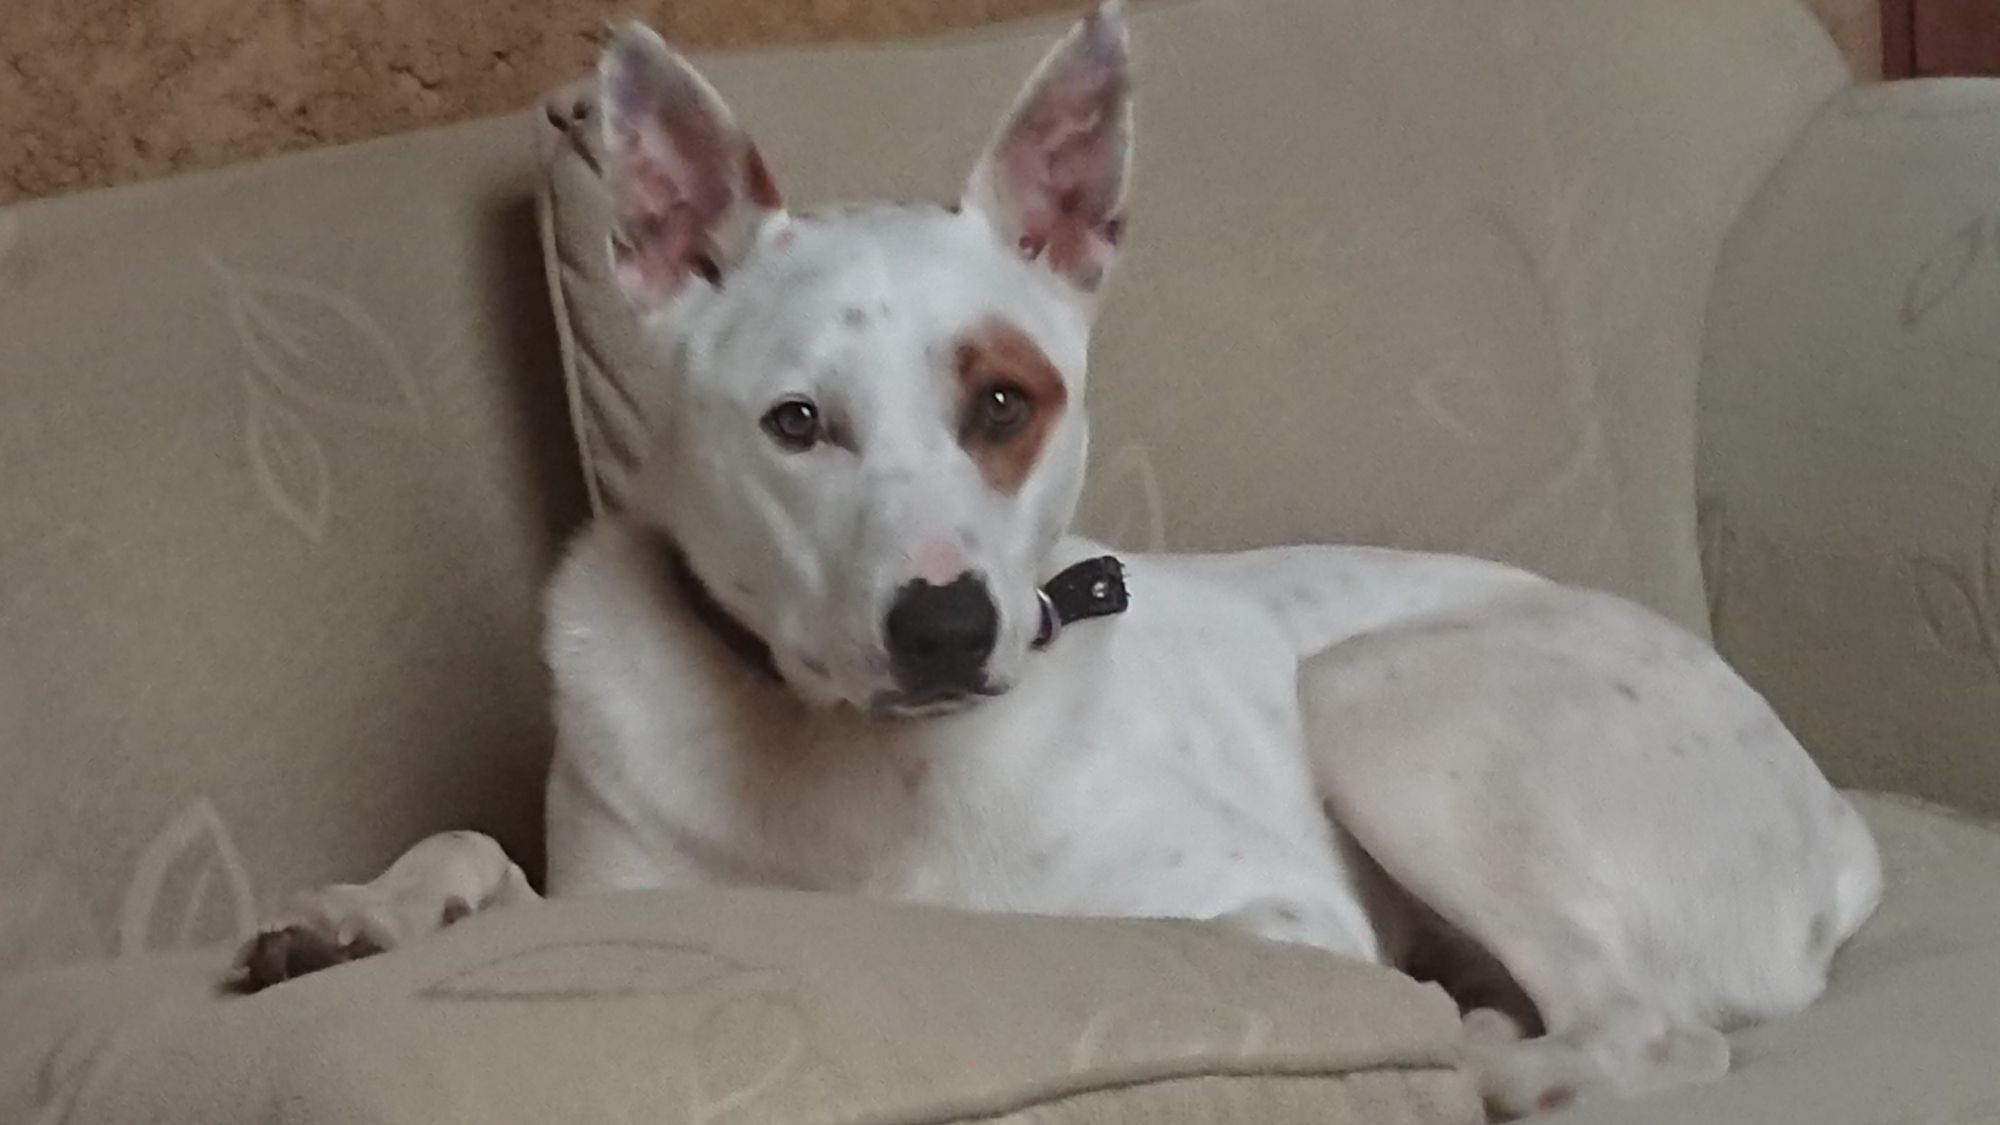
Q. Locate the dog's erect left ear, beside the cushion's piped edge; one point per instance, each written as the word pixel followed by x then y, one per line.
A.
pixel 689 189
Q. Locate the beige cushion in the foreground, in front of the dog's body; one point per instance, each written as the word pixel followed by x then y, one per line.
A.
pixel 751 1008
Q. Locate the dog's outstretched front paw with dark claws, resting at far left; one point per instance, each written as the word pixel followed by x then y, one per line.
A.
pixel 429 888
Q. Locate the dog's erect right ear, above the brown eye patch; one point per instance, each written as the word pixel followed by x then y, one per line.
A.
pixel 1055 177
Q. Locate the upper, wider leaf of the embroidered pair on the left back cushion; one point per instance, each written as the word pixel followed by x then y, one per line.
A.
pixel 321 349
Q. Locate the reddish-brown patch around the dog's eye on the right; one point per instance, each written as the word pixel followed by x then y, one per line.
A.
pixel 1009 401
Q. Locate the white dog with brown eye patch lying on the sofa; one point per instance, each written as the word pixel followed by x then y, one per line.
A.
pixel 827 650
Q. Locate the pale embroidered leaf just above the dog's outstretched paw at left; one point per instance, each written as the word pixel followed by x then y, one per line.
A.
pixel 193 852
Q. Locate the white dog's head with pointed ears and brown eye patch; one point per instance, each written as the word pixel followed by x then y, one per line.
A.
pixel 875 431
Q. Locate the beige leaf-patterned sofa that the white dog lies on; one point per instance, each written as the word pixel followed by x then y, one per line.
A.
pixel 1641 295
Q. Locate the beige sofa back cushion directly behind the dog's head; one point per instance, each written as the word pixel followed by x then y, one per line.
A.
pixel 1431 275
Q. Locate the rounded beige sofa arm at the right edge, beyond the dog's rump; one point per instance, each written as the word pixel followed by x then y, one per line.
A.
pixel 1851 441
